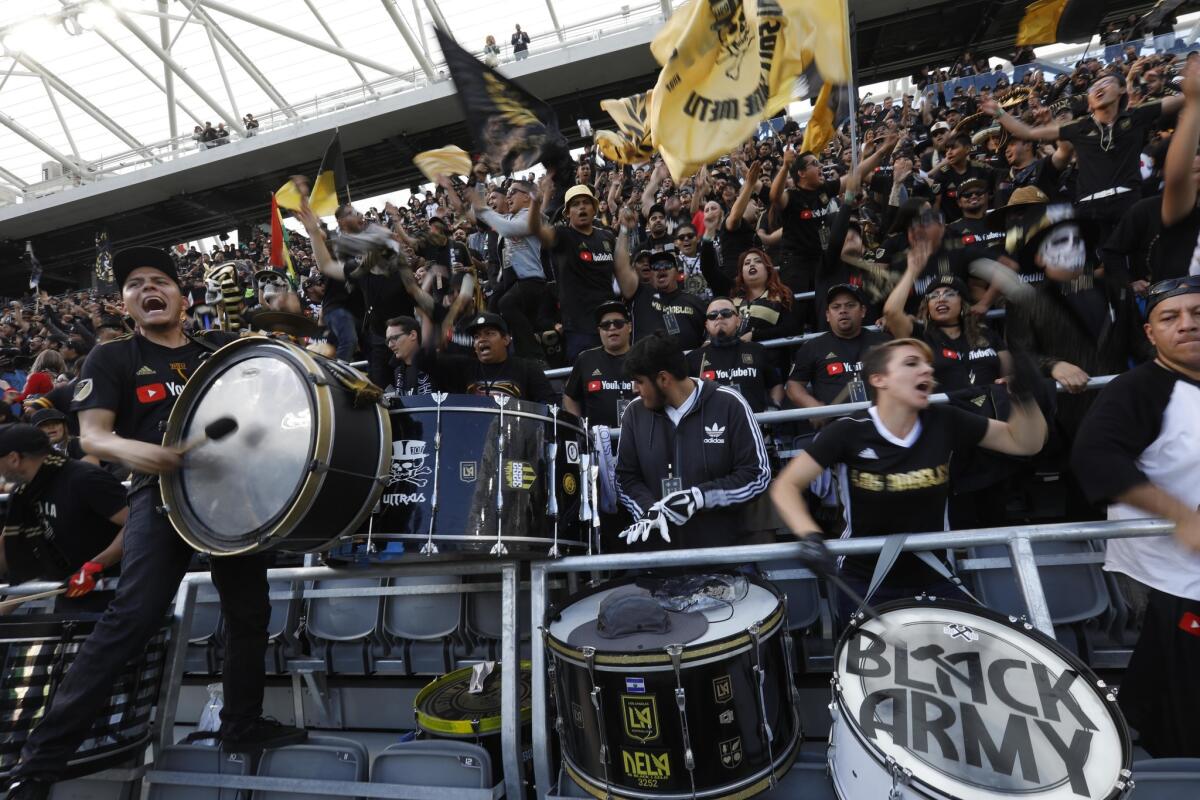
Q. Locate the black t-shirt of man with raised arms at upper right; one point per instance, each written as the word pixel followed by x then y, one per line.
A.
pixel 1111 157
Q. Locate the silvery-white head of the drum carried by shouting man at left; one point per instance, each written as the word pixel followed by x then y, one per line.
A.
pixel 243 485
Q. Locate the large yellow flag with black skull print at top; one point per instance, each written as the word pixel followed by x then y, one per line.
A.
pixel 730 64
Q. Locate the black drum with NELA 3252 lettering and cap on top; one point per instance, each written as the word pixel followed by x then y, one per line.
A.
pixel 712 718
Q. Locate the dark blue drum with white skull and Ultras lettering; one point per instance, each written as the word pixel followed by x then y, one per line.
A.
pixel 465 483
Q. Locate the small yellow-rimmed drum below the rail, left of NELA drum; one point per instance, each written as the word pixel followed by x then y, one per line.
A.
pixel 446 709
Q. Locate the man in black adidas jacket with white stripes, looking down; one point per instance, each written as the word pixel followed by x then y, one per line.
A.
pixel 691 455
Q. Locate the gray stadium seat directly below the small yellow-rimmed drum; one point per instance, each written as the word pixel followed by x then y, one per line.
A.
pixel 435 762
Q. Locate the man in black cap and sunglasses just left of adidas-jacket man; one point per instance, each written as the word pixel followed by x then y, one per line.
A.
pixel 598 388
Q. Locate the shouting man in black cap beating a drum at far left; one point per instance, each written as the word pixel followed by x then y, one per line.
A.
pixel 124 398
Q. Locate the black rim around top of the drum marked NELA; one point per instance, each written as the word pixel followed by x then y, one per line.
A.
pixel 769 627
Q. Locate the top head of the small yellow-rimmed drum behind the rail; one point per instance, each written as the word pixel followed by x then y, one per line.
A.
pixel 448 708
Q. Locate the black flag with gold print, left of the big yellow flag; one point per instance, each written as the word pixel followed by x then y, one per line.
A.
pixel 512 128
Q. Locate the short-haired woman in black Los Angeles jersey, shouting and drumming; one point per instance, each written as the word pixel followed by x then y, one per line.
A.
pixel 893 467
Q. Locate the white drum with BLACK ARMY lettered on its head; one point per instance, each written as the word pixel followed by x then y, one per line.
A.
pixel 959 702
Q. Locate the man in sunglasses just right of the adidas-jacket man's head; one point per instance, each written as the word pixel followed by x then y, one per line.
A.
pixel 731 362
